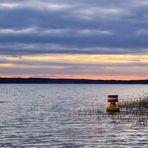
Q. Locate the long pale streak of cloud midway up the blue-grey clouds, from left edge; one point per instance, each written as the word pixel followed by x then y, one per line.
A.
pixel 50 31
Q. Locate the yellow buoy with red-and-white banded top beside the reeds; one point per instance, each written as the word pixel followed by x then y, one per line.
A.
pixel 113 106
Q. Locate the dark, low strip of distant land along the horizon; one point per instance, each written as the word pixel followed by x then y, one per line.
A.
pixel 67 81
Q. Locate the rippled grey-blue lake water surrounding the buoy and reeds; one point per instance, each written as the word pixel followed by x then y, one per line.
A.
pixel 67 116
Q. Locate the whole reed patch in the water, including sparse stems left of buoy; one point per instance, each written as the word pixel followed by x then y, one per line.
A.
pixel 131 112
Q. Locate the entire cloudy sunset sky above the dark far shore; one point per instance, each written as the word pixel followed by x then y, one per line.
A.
pixel 90 39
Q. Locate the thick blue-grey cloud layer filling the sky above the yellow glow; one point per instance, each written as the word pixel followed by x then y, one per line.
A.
pixel 89 27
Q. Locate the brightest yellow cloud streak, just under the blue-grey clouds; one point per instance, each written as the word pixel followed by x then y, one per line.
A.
pixel 84 58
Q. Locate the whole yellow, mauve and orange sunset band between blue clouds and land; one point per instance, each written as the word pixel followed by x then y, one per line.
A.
pixel 79 66
